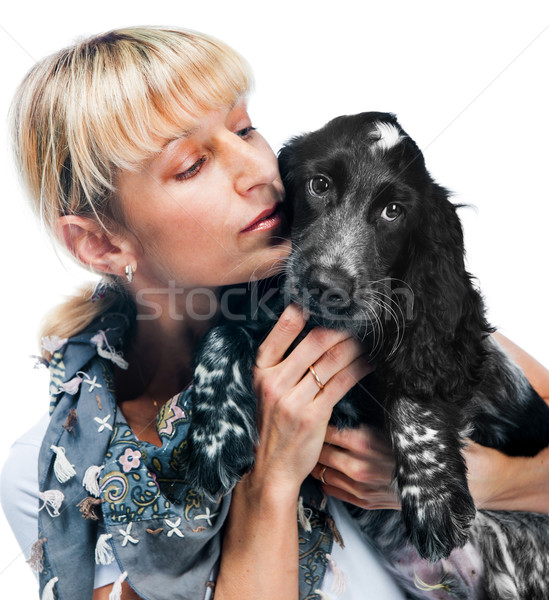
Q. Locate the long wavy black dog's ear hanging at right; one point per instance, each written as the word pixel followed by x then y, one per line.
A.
pixel 448 324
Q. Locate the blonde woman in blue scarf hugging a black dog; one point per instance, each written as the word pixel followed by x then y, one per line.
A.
pixel 141 159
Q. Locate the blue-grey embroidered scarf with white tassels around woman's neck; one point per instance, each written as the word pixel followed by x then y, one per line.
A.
pixel 106 496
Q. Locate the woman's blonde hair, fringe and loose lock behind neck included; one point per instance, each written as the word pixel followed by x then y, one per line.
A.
pixel 106 104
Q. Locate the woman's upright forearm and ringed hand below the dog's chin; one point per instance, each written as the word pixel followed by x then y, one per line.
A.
pixel 260 556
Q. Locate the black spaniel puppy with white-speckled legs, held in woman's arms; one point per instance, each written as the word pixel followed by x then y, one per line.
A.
pixel 378 250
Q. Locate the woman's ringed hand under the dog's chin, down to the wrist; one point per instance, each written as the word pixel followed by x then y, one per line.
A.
pixel 293 410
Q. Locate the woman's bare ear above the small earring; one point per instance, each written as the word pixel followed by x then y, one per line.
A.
pixel 88 241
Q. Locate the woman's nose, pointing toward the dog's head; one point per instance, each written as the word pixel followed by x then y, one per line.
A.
pixel 252 164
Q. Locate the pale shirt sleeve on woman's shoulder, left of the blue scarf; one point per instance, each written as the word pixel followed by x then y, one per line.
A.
pixel 19 485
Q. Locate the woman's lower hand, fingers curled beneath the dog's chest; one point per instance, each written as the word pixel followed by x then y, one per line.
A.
pixel 357 465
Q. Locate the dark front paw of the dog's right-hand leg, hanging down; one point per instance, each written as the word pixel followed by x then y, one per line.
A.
pixel 437 524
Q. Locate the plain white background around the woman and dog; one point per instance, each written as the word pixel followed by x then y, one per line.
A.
pixel 468 81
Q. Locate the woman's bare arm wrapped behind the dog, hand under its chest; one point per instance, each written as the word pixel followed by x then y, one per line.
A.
pixel 357 466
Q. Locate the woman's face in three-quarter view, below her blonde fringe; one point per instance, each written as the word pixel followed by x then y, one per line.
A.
pixel 205 209
